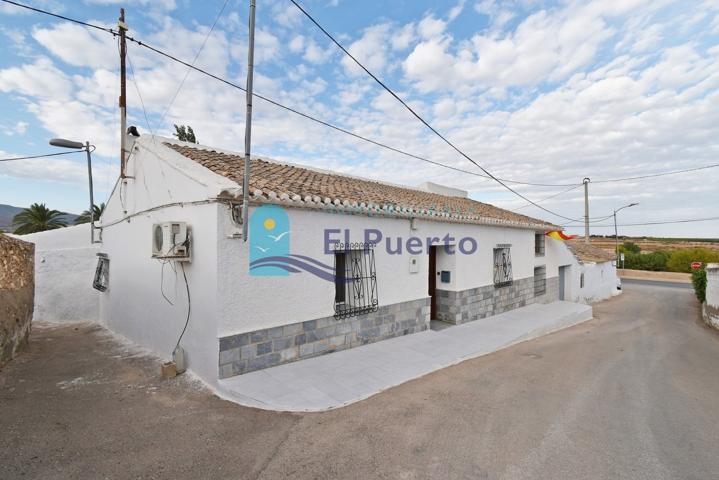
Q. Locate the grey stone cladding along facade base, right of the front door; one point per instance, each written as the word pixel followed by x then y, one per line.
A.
pixel 475 303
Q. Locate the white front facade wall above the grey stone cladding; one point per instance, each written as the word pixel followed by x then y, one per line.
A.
pixel 251 303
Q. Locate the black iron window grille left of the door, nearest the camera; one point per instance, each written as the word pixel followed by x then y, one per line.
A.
pixel 355 280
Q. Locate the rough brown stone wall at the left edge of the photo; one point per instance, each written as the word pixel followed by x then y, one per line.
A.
pixel 17 292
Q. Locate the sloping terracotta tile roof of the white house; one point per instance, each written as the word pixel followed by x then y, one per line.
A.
pixel 278 181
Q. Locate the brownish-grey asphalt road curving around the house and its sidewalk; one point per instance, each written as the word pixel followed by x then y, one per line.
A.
pixel 631 394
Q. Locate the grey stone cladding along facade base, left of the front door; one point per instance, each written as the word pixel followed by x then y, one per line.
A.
pixel 260 349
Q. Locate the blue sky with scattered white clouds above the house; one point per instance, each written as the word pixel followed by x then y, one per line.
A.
pixel 547 92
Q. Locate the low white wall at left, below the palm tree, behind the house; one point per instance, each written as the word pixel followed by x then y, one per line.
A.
pixel 65 264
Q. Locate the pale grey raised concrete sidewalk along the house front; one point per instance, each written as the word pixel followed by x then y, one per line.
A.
pixel 341 378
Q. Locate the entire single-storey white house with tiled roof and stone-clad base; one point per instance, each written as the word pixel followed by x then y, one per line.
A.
pixel 332 262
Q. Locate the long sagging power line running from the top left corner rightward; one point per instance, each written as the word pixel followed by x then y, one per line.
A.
pixel 292 110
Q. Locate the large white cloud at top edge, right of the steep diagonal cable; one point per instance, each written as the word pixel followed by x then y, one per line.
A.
pixel 544 46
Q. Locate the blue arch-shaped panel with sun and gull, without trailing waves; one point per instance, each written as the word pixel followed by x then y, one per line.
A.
pixel 269 241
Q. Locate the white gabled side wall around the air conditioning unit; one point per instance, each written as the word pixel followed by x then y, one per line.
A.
pixel 133 305
